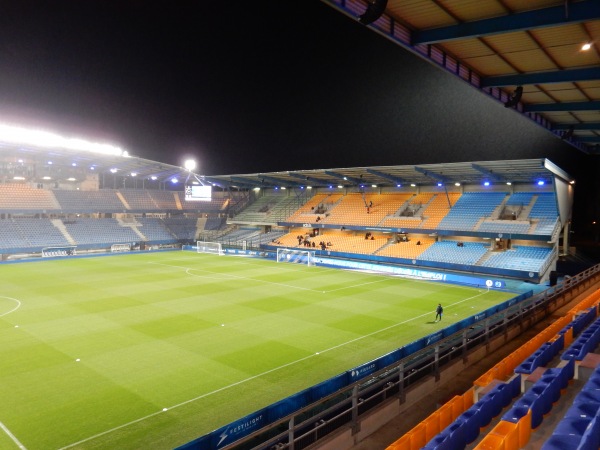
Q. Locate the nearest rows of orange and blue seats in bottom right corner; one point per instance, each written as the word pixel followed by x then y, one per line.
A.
pixel 460 421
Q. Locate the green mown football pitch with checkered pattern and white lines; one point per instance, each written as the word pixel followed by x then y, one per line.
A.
pixel 151 350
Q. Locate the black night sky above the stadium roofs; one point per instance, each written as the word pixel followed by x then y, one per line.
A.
pixel 249 86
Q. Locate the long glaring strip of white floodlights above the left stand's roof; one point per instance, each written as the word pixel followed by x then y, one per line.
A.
pixel 38 138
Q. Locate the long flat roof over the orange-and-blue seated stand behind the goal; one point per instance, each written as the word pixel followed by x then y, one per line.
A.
pixel 515 171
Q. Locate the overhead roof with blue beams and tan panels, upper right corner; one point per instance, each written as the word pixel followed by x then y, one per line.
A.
pixel 500 45
